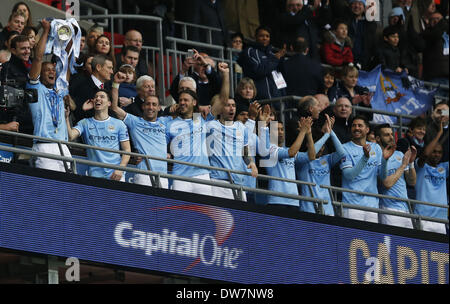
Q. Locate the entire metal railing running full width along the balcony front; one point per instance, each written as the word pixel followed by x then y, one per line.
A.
pixel 237 189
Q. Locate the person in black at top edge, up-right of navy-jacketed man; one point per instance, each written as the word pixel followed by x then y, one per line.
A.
pixel 297 21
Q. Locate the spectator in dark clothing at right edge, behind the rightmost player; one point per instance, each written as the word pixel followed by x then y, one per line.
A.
pixel 440 115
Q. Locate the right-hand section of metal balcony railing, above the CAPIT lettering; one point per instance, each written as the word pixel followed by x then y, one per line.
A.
pixel 415 218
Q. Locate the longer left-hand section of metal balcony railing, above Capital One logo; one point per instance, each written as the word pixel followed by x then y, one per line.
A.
pixel 155 176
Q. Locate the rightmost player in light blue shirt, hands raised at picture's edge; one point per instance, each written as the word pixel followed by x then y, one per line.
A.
pixel 431 184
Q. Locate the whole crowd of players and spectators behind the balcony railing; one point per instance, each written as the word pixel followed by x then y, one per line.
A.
pixel 112 102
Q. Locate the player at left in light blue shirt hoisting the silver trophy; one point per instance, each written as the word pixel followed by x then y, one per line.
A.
pixel 48 112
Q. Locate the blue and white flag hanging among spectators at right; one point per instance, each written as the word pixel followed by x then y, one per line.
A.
pixel 390 94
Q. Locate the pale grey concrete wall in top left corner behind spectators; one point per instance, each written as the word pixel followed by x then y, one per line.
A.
pixel 39 11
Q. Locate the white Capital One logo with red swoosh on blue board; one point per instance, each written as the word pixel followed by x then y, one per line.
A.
pixel 207 249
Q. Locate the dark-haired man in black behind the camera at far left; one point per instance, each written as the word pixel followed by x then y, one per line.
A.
pixel 14 74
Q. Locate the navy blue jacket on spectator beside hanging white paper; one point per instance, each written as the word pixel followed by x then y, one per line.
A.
pixel 258 62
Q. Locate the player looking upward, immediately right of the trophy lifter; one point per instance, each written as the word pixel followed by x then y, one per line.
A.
pixel 103 131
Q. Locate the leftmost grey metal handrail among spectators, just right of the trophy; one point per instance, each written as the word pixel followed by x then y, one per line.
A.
pixel 156 50
